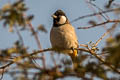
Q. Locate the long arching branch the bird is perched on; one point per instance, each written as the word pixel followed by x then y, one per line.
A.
pixel 92 52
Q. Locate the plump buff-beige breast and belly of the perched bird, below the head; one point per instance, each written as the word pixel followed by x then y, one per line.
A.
pixel 63 37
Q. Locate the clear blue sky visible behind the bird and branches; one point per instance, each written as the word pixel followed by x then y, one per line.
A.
pixel 42 11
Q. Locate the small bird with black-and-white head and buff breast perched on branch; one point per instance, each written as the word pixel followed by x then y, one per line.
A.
pixel 62 36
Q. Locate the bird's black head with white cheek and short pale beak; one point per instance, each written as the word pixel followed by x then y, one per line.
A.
pixel 59 18
